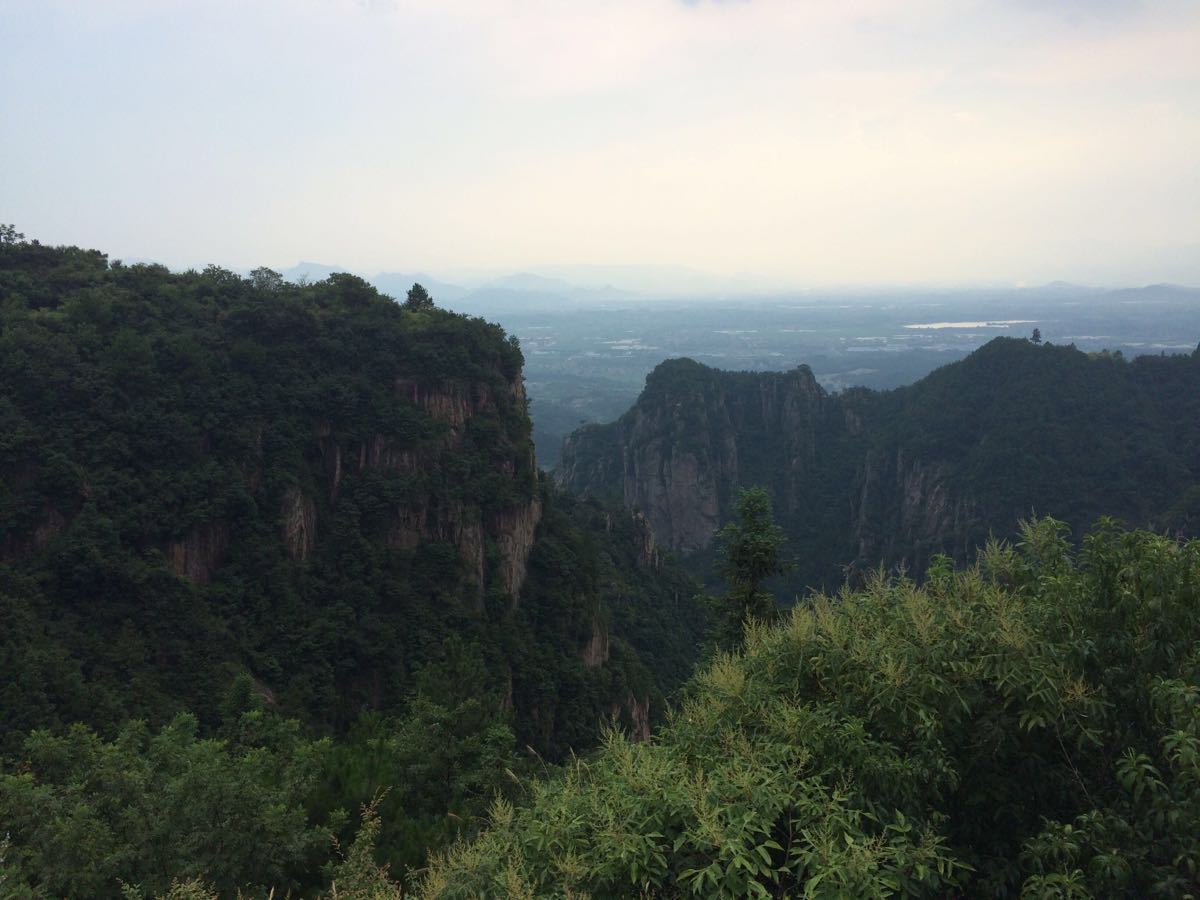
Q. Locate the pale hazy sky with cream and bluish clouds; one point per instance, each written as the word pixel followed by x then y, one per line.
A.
pixel 803 141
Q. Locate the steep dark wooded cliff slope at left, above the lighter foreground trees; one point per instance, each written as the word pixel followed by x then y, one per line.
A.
pixel 203 476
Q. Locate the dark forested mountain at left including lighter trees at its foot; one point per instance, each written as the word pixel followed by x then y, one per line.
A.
pixel 287 513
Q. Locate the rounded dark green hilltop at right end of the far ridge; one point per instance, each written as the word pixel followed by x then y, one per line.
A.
pixel 1003 429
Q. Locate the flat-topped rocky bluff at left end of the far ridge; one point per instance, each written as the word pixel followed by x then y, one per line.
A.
pixel 698 435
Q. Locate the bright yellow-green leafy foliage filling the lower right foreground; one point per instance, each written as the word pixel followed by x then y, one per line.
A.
pixel 1028 727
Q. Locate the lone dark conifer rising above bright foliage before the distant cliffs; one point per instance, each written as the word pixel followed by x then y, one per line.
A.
pixel 752 555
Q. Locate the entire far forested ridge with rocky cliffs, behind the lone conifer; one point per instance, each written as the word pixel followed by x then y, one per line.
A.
pixel 863 477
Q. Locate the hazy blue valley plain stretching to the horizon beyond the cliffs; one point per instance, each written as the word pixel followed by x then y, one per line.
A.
pixel 590 347
